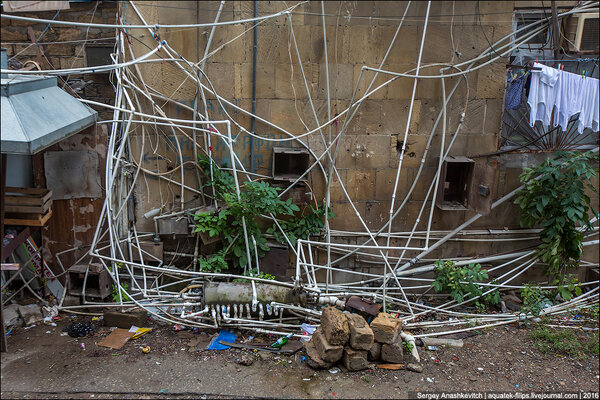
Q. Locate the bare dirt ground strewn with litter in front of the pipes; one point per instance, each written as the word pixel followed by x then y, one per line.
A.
pixel 42 363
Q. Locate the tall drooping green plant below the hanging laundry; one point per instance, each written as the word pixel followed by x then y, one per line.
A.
pixel 557 201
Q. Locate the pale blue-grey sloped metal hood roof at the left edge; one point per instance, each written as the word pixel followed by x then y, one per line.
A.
pixel 36 114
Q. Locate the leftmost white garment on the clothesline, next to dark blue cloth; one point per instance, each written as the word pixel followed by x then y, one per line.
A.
pixel 542 94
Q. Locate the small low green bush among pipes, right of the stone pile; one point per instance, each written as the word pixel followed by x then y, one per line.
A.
pixel 458 281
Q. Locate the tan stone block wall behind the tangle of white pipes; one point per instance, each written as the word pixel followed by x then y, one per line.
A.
pixel 370 150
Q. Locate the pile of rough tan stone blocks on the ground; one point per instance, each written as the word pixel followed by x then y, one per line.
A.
pixel 349 338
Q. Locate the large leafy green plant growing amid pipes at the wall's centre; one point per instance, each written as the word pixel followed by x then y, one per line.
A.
pixel 256 199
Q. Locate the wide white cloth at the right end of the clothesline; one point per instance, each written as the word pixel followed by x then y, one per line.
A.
pixel 576 94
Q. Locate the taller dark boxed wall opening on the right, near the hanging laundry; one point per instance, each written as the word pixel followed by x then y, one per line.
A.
pixel 455 183
